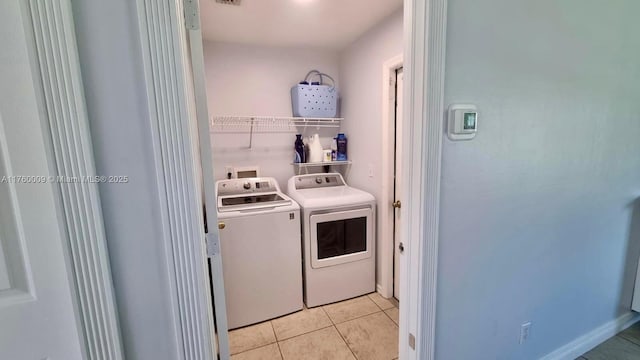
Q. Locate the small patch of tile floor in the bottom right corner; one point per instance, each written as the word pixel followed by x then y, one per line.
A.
pixel 624 346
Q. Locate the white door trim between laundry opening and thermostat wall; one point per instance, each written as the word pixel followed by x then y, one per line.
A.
pixel 425 38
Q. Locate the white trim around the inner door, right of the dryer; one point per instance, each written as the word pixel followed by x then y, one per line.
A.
pixel 385 284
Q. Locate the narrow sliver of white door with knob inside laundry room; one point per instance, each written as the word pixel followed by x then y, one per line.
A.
pixel 397 185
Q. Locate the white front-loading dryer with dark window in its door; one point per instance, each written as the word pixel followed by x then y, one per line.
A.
pixel 338 237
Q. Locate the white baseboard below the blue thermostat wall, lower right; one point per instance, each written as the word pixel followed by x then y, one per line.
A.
pixel 593 338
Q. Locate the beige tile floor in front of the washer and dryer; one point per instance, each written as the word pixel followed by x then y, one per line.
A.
pixel 363 328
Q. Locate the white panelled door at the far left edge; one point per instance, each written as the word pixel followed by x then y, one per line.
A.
pixel 37 319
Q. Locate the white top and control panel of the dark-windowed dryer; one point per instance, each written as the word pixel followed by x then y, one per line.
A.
pixel 324 196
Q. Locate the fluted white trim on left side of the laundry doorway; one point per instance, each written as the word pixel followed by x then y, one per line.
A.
pixel 162 33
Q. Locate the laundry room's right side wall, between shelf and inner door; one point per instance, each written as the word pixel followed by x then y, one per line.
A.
pixel 360 79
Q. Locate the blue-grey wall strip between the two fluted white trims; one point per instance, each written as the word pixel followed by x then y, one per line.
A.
pixel 112 71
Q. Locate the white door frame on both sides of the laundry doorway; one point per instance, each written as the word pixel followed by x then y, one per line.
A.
pixel 162 27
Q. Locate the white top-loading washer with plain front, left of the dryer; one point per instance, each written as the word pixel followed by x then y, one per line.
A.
pixel 260 249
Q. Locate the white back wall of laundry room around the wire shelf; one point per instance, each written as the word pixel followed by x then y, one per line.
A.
pixel 256 80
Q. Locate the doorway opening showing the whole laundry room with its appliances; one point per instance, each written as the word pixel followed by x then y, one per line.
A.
pixel 250 69
